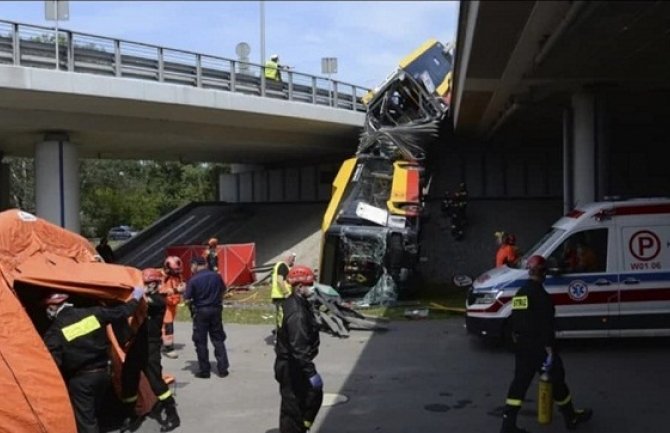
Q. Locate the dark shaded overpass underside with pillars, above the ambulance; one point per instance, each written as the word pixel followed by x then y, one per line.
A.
pixel 563 98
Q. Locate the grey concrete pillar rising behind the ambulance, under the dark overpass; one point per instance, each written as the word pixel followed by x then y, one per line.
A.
pixel 587 150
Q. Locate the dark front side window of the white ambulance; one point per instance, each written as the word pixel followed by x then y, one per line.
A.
pixel 583 252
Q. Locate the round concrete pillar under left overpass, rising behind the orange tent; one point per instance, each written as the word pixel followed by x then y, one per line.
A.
pixel 57 181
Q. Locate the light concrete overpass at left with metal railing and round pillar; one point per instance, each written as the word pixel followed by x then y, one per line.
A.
pixel 110 98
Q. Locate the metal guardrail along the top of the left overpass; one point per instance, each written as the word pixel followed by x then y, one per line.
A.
pixel 35 46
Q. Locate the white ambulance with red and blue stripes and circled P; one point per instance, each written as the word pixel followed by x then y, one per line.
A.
pixel 609 274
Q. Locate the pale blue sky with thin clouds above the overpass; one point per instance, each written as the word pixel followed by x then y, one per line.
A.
pixel 368 38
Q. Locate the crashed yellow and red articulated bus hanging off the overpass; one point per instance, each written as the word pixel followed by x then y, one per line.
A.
pixel 372 226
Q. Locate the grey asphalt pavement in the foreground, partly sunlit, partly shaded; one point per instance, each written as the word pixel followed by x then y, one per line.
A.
pixel 420 377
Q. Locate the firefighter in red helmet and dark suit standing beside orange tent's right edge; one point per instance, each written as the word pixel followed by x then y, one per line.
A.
pixel 144 355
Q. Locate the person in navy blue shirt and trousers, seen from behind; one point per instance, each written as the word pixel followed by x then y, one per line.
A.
pixel 204 294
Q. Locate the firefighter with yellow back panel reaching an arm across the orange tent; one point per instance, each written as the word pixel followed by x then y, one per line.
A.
pixel 78 343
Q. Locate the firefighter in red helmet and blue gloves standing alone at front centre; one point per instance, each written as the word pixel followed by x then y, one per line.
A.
pixel 300 385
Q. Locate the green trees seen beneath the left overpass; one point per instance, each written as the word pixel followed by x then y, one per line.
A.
pixel 115 192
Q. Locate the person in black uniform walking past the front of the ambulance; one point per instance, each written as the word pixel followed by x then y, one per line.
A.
pixel 533 333
